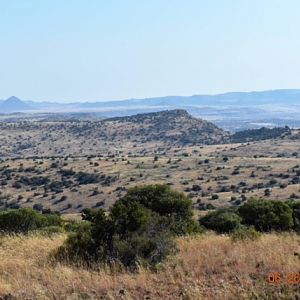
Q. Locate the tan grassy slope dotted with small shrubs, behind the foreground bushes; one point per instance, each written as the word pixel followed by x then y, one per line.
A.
pixel 173 167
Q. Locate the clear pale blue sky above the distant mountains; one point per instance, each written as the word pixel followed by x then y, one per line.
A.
pixel 94 50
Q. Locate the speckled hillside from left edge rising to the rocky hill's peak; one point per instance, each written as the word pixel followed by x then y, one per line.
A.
pixel 139 134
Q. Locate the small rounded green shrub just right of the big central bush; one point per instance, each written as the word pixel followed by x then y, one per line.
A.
pixel 222 221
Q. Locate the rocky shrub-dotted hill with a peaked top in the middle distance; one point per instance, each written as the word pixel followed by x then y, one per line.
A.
pixel 175 126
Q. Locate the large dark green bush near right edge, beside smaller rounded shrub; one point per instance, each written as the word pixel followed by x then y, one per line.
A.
pixel 267 215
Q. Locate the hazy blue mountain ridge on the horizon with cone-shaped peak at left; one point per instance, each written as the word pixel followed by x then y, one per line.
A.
pixel 238 99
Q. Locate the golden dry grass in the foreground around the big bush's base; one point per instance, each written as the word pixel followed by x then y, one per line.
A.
pixel 207 267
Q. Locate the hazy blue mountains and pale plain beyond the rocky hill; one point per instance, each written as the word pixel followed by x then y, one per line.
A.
pixel 233 111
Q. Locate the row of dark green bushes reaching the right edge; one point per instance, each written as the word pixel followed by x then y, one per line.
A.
pixel 262 215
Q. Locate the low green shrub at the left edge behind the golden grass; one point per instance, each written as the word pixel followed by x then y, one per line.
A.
pixel 24 220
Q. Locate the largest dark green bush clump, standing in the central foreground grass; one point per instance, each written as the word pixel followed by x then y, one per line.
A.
pixel 138 230
